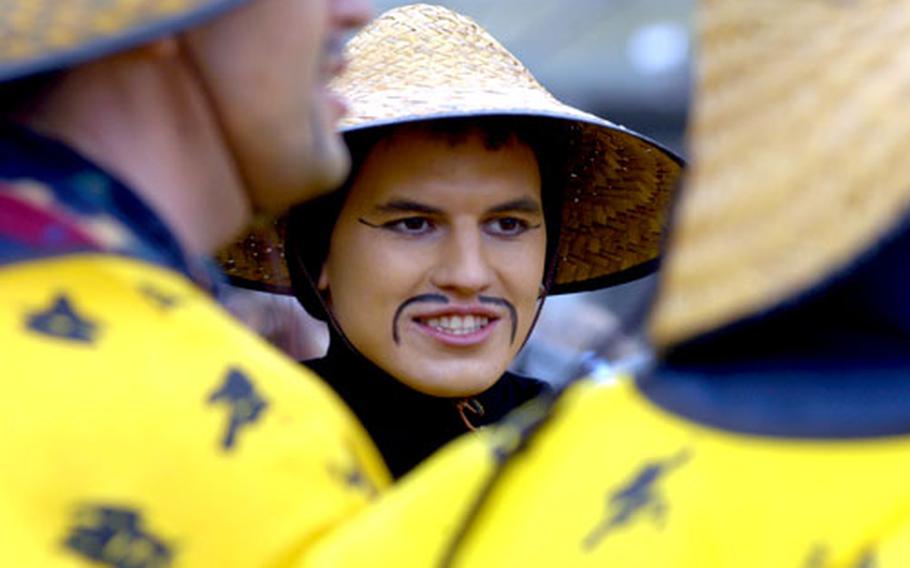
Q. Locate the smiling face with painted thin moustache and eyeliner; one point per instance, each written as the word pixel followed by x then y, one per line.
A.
pixel 436 260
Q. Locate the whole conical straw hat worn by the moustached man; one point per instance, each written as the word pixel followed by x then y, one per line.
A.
pixel 422 62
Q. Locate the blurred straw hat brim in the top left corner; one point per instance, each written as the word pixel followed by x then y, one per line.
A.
pixel 44 35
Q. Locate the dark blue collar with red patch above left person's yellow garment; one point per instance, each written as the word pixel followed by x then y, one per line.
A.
pixel 74 206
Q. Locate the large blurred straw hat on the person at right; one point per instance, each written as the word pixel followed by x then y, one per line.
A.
pixel 799 140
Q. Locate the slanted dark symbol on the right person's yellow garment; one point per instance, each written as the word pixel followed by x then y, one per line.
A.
pixel 638 496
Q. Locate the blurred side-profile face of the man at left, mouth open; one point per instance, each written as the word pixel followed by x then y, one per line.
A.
pixel 265 66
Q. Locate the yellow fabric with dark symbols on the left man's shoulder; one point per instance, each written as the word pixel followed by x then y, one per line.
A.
pixel 143 427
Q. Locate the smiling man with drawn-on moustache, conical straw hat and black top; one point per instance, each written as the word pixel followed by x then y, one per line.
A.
pixel 473 195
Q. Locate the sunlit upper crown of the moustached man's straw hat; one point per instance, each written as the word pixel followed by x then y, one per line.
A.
pixel 427 60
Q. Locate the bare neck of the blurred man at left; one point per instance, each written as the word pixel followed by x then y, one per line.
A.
pixel 144 118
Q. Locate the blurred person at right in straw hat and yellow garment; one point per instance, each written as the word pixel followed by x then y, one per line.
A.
pixel 775 428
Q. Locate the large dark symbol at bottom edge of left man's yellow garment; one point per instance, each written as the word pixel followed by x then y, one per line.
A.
pixel 115 537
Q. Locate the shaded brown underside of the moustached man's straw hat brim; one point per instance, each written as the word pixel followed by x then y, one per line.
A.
pixel 611 230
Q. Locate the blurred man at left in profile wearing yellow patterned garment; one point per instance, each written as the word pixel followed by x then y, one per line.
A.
pixel 141 425
